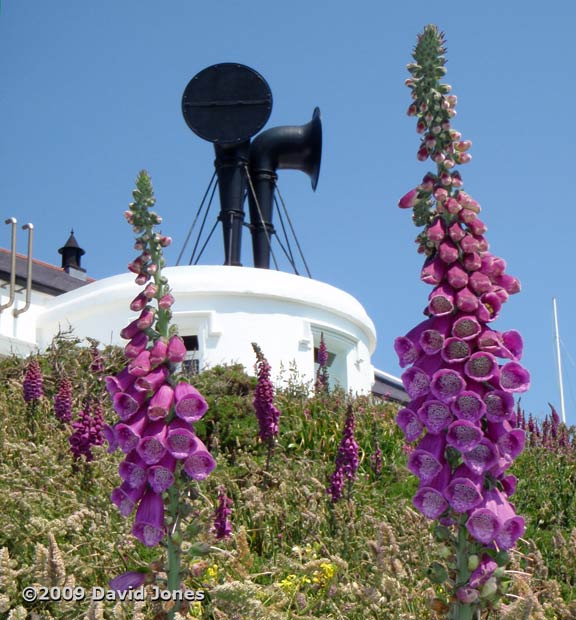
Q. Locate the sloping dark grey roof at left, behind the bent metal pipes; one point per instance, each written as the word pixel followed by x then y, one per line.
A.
pixel 46 278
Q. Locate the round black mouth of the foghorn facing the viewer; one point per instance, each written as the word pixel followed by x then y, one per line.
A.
pixel 227 103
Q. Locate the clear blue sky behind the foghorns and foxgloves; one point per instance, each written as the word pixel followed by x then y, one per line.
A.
pixel 90 94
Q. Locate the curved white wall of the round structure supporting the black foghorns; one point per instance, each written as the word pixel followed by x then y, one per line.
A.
pixel 227 308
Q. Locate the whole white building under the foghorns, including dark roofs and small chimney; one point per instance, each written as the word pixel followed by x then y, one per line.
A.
pixel 219 310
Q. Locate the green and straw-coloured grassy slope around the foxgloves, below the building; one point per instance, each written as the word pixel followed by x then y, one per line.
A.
pixel 293 553
